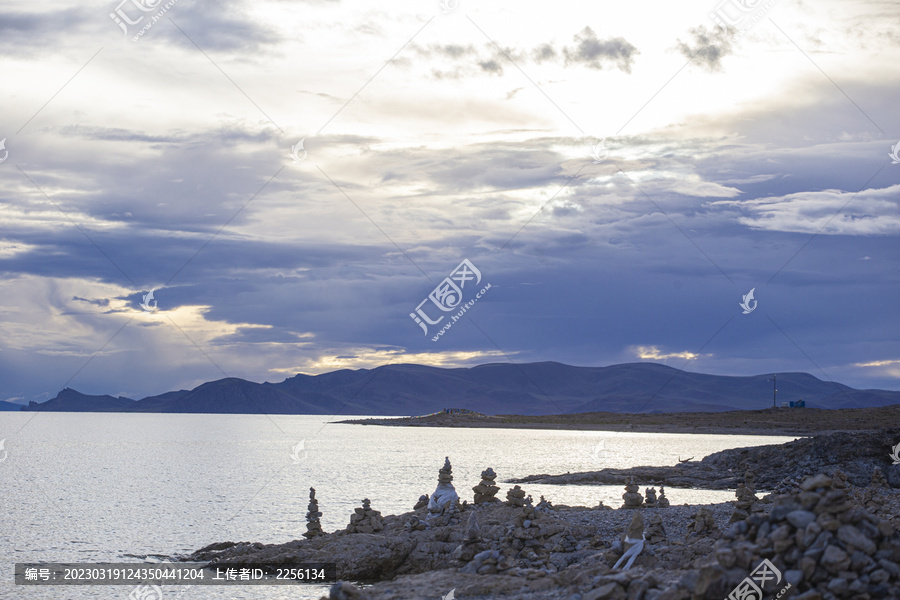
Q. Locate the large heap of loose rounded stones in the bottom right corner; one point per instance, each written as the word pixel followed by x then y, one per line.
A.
pixel 824 545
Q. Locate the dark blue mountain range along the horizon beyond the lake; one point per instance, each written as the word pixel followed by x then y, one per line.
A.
pixel 528 389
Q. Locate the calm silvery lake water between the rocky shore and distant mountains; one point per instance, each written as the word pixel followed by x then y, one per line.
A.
pixel 79 487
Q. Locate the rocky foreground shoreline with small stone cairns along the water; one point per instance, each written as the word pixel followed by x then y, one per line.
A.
pixel 830 534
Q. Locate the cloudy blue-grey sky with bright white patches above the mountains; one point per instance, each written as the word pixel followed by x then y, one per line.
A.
pixel 301 183
